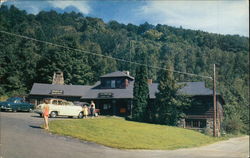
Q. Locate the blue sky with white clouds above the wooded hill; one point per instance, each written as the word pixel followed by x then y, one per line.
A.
pixel 223 17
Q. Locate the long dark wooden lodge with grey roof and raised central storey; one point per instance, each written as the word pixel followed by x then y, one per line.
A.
pixel 113 95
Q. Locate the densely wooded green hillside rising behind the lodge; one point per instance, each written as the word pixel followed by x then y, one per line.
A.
pixel 23 61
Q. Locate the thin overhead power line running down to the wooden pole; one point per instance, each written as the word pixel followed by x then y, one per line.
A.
pixel 105 56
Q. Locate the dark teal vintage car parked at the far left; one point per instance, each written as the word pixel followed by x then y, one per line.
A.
pixel 16 104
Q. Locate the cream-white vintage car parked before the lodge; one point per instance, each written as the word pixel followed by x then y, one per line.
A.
pixel 60 107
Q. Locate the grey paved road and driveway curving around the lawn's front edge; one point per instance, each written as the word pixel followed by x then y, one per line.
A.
pixel 21 137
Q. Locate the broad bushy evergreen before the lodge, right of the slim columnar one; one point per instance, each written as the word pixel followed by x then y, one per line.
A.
pixel 169 103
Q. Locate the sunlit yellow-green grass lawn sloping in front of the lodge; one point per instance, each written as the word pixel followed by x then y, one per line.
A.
pixel 119 133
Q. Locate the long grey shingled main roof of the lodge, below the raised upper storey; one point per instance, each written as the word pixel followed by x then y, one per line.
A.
pixel 90 92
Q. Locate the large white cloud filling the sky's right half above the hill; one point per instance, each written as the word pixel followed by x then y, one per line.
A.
pixel 226 17
